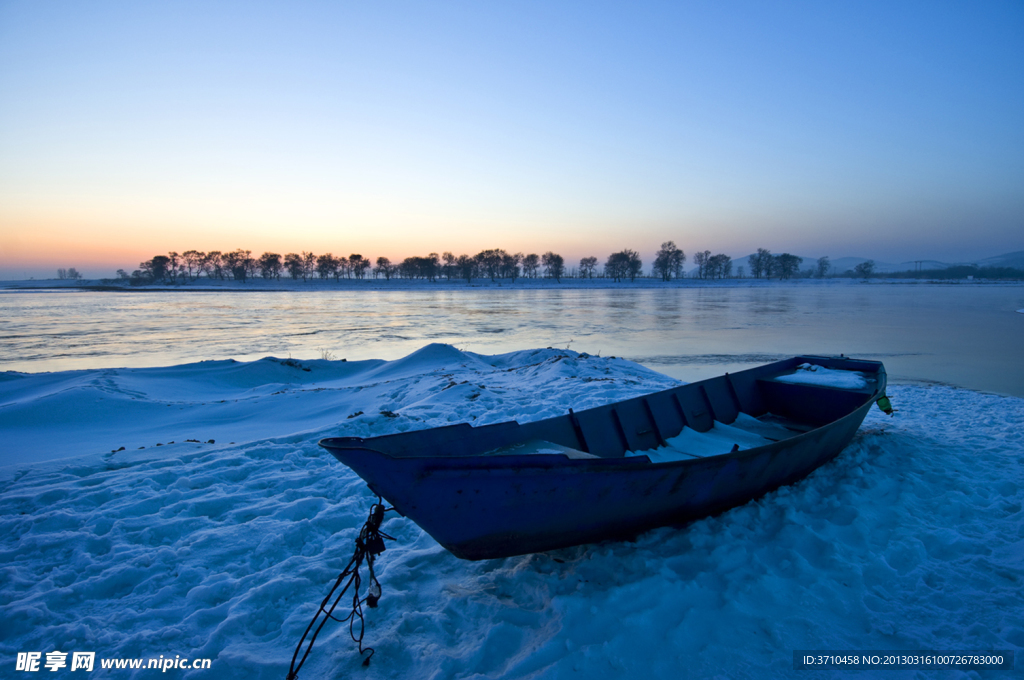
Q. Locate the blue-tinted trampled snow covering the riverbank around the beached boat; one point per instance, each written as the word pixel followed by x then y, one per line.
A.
pixel 912 539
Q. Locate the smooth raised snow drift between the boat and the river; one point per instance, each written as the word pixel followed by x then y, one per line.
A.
pixel 72 413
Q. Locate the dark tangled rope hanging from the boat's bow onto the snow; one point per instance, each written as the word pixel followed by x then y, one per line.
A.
pixel 369 544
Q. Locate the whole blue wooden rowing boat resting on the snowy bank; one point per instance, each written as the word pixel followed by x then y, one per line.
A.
pixel 614 472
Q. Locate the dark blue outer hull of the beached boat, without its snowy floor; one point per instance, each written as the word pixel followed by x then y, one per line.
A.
pixel 482 507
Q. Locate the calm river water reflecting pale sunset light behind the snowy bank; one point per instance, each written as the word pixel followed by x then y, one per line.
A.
pixel 965 335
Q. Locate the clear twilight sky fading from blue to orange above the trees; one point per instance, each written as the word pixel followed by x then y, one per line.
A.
pixel 890 131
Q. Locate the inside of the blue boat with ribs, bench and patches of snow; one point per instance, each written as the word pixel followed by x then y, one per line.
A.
pixel 731 413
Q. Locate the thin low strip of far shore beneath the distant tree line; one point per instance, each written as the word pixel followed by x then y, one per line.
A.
pixel 348 285
